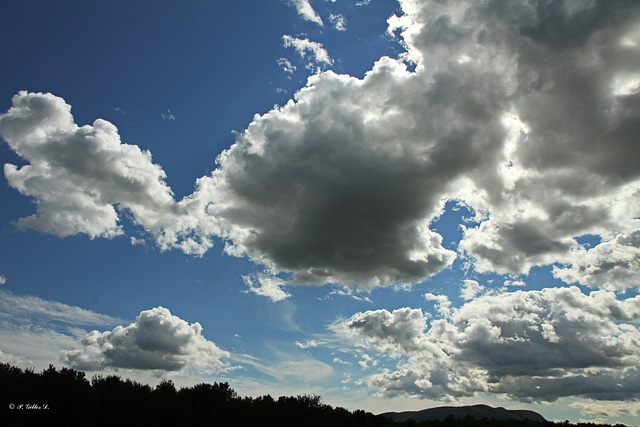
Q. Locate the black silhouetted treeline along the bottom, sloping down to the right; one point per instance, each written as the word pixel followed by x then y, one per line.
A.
pixel 66 397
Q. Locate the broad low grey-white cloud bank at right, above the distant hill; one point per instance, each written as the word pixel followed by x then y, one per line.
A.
pixel 531 346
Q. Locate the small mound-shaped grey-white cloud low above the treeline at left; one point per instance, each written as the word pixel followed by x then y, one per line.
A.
pixel 157 340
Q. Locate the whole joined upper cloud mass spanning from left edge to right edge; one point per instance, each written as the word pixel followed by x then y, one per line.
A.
pixel 526 112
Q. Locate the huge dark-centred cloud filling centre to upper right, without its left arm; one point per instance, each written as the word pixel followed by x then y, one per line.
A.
pixel 511 109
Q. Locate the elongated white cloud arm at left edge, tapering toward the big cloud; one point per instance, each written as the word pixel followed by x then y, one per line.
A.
pixel 83 177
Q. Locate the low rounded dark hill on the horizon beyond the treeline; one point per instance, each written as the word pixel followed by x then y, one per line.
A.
pixel 477 411
